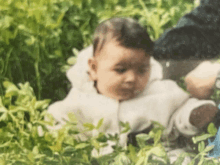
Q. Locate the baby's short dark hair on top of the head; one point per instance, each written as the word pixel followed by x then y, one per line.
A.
pixel 126 31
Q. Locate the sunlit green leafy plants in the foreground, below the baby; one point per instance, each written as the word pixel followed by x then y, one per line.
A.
pixel 26 138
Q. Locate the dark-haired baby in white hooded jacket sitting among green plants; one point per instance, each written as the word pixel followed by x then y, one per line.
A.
pixel 120 81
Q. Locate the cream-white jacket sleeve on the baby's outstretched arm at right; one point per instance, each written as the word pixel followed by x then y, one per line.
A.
pixel 182 106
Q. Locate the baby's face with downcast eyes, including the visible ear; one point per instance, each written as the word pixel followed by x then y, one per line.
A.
pixel 121 73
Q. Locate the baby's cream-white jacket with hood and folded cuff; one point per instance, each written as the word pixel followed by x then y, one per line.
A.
pixel 162 101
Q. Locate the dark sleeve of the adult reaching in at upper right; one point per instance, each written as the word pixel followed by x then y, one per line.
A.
pixel 196 35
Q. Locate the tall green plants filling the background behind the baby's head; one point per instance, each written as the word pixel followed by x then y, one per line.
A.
pixel 37 36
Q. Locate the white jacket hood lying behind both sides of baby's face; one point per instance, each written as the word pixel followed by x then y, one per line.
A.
pixel 79 78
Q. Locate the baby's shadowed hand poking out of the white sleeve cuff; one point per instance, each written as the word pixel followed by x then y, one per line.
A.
pixel 203 115
